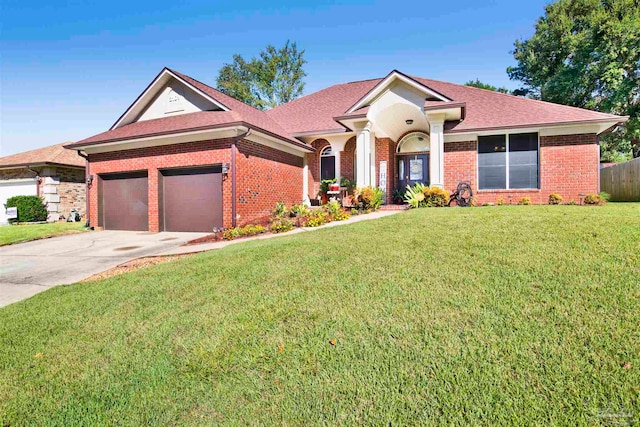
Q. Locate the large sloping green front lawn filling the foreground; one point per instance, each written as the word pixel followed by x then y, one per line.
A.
pixel 520 315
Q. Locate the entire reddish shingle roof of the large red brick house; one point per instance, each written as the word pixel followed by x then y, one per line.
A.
pixel 318 111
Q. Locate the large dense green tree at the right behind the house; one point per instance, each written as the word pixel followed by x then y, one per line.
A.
pixel 586 53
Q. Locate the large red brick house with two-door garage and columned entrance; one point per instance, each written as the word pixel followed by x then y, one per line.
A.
pixel 185 157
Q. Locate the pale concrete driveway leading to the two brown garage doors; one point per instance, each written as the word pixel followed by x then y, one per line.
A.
pixel 32 267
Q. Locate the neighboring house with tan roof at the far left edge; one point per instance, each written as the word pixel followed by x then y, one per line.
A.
pixel 54 173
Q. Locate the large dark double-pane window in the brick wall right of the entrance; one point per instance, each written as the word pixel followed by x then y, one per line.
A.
pixel 508 162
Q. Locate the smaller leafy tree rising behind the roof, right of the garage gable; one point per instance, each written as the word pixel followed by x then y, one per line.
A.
pixel 273 78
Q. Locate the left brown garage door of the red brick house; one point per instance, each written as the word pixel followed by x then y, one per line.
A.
pixel 125 201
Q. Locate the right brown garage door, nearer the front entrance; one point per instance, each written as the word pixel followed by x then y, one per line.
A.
pixel 192 199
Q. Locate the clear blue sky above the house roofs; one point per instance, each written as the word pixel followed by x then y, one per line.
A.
pixel 69 69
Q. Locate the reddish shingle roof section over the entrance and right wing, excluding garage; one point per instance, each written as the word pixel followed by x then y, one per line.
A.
pixel 484 109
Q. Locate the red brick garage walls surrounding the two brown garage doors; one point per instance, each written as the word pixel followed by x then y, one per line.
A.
pixel 257 169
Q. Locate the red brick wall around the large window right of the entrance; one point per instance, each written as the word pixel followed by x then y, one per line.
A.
pixel 568 166
